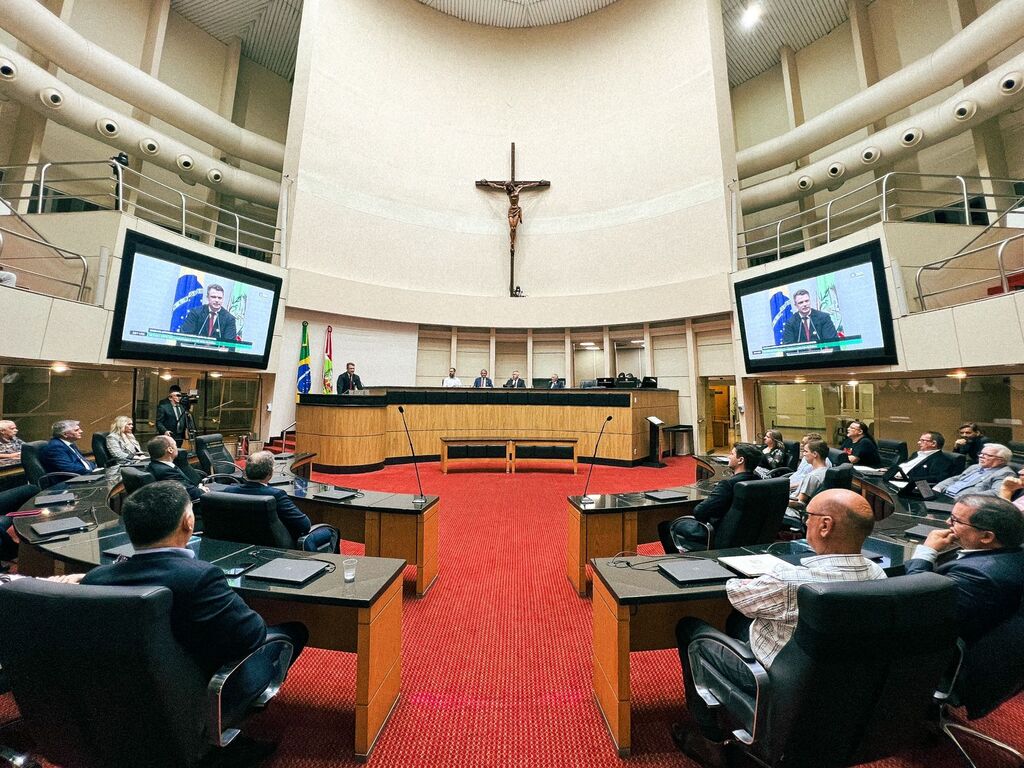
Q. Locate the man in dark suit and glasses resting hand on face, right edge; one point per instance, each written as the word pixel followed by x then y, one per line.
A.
pixel 990 570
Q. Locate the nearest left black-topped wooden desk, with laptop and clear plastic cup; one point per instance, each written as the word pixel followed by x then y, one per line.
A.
pixel 364 617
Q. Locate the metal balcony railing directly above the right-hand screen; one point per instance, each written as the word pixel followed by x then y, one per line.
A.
pixel 884 211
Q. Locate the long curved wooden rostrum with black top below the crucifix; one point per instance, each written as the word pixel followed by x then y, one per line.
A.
pixel 361 433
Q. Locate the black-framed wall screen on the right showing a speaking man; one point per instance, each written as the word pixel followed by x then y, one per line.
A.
pixel 831 313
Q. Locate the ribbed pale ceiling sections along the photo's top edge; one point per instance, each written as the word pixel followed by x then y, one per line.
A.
pixel 270 29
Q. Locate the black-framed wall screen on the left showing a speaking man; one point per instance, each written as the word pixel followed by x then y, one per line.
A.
pixel 178 306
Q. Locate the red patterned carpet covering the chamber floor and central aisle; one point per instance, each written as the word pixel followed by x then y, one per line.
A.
pixel 496 664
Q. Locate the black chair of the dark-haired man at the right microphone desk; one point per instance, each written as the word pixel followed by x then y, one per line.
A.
pixel 755 518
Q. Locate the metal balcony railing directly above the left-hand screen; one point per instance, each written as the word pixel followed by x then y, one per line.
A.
pixel 222 218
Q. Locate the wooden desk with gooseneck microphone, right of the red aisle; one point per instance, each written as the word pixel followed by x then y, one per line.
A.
pixel 606 526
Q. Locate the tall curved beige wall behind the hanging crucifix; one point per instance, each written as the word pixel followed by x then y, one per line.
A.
pixel 398 109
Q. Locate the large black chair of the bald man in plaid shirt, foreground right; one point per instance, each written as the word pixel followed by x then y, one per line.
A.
pixel 854 686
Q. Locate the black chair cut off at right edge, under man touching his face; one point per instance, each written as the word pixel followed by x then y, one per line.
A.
pixel 989 675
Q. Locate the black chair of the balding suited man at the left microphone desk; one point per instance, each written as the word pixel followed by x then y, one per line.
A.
pixel 253 520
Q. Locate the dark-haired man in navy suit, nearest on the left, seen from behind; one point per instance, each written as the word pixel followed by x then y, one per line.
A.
pixel 210 621
